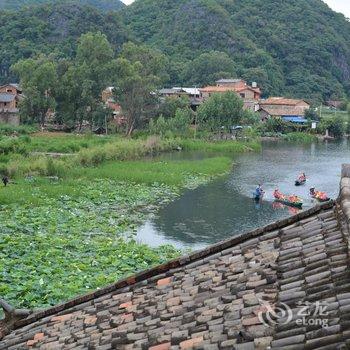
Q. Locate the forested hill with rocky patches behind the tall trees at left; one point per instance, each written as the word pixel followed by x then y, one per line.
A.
pixel 52 29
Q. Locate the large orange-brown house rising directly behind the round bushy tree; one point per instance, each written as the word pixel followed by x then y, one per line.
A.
pixel 250 94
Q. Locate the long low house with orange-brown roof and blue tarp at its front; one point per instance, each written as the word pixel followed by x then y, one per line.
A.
pixel 279 107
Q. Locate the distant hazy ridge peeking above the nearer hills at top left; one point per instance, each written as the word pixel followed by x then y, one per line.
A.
pixel 105 5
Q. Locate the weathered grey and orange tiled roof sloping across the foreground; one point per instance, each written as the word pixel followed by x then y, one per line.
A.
pixel 212 299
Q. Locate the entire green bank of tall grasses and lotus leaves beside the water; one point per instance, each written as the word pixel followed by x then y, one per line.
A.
pixel 67 223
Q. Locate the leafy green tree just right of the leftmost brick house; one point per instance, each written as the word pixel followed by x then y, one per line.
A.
pixel 39 80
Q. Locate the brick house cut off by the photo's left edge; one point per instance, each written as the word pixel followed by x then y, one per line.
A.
pixel 10 95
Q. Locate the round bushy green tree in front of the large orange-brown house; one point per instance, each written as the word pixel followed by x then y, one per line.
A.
pixel 220 110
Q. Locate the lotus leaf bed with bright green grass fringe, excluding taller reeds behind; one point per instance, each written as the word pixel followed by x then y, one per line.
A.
pixel 61 237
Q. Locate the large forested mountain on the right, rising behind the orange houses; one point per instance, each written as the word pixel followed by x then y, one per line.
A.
pixel 295 47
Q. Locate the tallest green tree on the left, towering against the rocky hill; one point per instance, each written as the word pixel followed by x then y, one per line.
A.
pixel 83 81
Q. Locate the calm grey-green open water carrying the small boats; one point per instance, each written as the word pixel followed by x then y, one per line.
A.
pixel 225 207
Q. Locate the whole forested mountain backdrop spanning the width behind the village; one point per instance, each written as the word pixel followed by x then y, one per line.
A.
pixel 298 48
